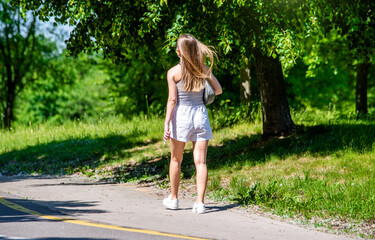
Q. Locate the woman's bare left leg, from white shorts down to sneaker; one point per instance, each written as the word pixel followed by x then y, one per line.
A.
pixel 177 151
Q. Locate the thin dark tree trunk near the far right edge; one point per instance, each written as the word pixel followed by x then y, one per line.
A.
pixel 361 88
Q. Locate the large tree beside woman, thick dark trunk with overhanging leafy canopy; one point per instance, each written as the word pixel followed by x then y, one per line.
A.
pixel 243 29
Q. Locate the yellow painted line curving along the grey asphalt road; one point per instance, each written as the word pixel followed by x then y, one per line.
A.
pixel 91 224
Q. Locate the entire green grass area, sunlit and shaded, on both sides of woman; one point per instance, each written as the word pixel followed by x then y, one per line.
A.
pixel 322 174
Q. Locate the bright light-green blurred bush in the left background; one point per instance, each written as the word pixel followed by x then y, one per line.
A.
pixel 70 89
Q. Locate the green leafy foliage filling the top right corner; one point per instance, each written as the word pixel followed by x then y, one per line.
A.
pixel 341 34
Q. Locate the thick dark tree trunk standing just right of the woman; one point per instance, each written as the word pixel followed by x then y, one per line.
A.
pixel 275 108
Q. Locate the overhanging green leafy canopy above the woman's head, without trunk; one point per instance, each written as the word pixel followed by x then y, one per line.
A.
pixel 239 25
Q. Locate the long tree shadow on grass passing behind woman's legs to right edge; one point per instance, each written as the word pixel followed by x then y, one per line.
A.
pixel 250 150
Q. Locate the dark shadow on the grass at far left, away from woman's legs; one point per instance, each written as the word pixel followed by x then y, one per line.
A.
pixel 69 156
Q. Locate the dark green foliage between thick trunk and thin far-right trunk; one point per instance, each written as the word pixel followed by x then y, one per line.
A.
pixel 329 87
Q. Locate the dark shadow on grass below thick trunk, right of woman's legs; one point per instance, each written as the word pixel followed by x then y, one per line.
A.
pixel 320 140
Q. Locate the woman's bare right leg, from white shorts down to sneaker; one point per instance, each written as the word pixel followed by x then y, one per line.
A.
pixel 200 153
